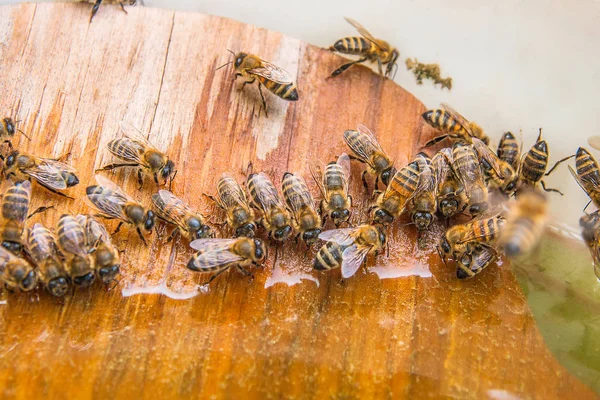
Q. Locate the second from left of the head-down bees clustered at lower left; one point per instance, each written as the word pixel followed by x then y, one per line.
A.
pixel 43 250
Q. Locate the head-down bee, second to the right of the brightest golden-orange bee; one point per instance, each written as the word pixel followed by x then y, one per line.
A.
pixel 451 198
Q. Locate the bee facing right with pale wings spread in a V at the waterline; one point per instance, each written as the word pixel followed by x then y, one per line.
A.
pixel 348 248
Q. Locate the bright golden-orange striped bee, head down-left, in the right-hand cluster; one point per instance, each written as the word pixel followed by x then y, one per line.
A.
pixel 392 202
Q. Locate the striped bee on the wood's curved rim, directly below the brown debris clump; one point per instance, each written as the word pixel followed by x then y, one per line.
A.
pixel 454 125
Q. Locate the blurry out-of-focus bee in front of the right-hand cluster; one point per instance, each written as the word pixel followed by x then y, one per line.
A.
pixel 525 223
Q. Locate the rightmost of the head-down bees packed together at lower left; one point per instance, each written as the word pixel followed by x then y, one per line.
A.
pixel 107 261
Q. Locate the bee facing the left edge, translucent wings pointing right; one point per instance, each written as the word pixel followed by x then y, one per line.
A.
pixel 51 174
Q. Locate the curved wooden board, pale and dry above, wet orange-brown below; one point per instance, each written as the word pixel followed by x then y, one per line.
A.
pixel 402 328
